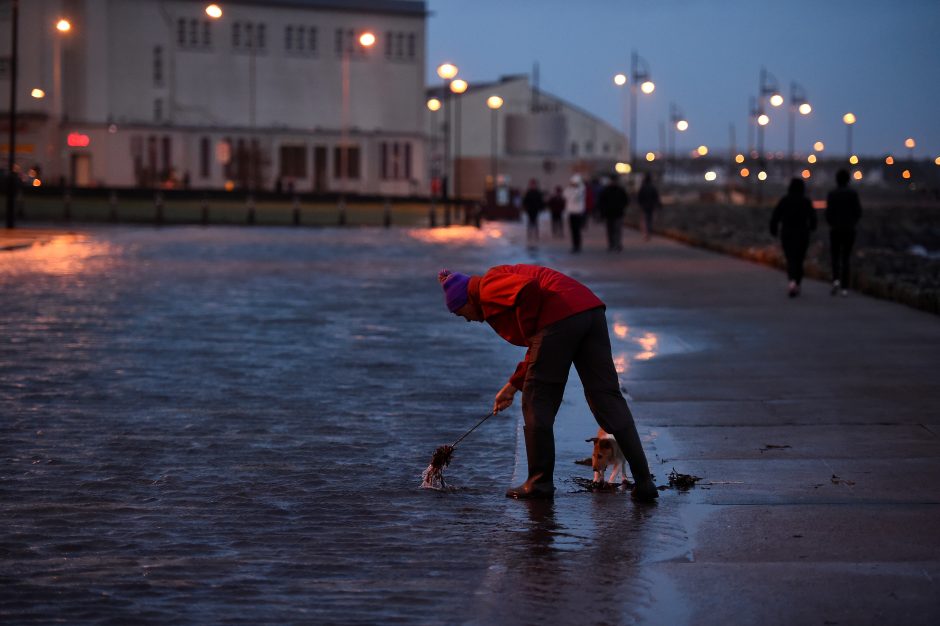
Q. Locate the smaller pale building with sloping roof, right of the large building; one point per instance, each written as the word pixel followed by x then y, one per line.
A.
pixel 538 135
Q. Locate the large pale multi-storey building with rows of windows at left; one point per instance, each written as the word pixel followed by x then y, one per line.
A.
pixel 157 93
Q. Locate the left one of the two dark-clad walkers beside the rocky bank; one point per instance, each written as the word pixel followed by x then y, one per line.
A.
pixel 794 218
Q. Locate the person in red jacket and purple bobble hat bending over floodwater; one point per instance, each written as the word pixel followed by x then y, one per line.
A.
pixel 561 322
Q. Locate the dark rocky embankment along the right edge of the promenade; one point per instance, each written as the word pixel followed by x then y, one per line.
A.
pixel 896 255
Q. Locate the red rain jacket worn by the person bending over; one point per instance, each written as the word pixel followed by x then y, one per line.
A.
pixel 518 301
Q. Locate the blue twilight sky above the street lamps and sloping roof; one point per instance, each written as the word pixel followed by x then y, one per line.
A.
pixel 879 59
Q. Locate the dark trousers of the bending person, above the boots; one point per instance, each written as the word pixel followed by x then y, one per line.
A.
pixel 581 339
